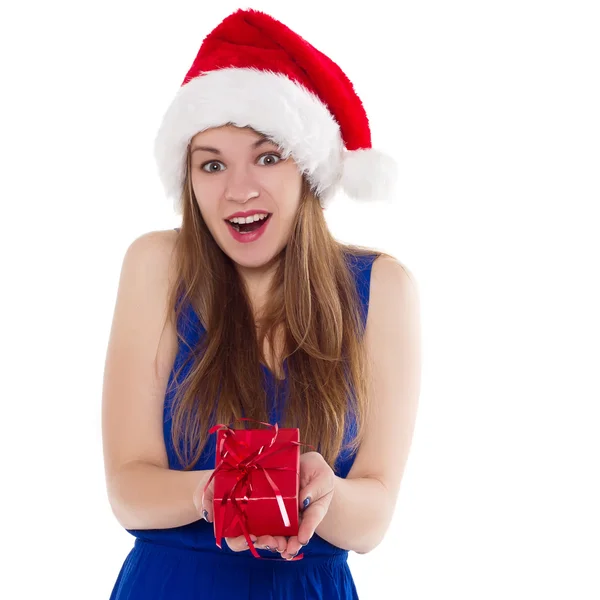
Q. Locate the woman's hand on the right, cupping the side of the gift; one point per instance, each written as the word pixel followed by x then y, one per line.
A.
pixel 316 491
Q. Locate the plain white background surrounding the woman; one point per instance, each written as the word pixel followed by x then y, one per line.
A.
pixel 491 109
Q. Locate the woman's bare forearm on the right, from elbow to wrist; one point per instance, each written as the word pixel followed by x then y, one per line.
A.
pixel 358 516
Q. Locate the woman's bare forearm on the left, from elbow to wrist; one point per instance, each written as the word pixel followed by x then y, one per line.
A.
pixel 144 496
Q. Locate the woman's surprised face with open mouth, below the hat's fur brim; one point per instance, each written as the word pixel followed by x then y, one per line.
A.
pixel 238 170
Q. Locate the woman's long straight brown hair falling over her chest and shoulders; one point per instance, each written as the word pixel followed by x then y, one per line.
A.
pixel 313 300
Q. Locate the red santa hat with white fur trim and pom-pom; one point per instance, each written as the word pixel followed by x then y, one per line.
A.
pixel 252 70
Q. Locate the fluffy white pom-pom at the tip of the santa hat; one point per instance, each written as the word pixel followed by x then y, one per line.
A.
pixel 369 174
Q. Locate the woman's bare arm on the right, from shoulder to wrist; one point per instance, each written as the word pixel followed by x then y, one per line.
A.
pixel 363 504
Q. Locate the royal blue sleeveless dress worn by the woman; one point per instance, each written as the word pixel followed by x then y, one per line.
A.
pixel 184 562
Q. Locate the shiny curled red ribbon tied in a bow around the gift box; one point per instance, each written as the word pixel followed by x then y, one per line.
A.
pixel 234 457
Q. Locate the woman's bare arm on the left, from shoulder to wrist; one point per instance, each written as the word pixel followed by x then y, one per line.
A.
pixel 143 493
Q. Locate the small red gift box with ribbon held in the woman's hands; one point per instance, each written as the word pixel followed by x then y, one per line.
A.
pixel 256 482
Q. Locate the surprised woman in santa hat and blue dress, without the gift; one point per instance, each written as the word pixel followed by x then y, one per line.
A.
pixel 269 318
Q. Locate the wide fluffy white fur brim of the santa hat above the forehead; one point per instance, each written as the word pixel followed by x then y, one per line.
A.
pixel 285 111
